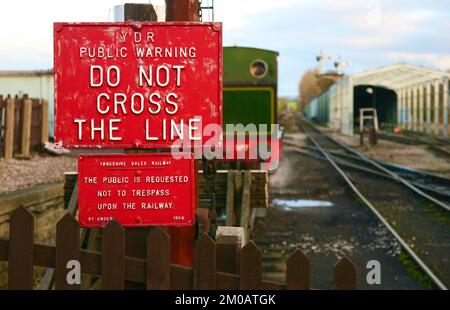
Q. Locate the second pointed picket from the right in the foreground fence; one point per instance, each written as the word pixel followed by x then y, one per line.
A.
pixel 297 271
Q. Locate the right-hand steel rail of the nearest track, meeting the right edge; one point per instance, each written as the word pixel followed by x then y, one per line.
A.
pixel 394 175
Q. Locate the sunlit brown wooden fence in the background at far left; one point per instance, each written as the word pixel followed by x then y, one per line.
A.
pixel 24 125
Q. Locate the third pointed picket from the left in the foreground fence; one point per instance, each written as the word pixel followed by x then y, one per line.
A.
pixel 113 257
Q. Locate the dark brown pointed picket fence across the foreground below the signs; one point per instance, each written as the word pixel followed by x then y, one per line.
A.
pixel 217 265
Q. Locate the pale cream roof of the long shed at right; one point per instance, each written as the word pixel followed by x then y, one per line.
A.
pixel 399 76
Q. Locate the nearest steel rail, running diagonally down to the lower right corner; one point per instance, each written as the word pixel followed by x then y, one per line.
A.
pixel 403 243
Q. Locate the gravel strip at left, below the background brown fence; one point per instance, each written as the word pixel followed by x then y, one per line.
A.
pixel 17 174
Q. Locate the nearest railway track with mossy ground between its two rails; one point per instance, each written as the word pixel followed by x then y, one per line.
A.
pixel 400 206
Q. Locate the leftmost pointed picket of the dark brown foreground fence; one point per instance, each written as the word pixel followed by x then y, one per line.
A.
pixel 21 240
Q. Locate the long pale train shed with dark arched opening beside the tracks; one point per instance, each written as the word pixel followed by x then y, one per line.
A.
pixel 406 96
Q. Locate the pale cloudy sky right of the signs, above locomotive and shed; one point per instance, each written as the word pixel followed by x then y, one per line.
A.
pixel 366 33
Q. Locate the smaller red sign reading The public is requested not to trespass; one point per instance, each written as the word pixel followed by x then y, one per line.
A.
pixel 136 190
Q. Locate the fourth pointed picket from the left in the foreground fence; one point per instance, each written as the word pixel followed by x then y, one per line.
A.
pixel 158 259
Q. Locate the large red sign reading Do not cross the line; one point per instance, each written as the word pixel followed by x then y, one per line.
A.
pixel 137 85
